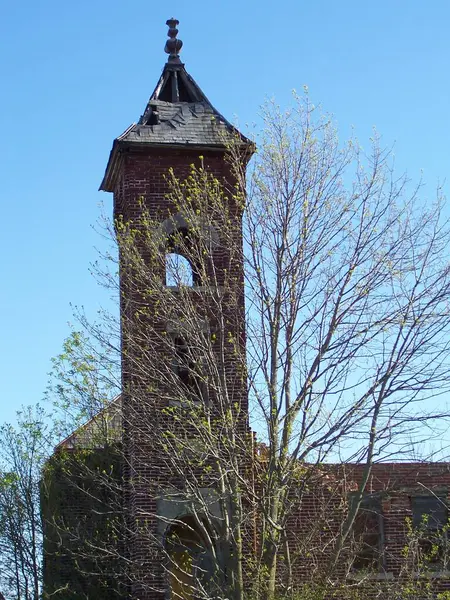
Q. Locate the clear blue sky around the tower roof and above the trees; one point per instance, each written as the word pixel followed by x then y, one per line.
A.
pixel 75 74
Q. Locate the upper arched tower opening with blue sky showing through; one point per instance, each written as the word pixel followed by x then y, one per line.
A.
pixel 179 269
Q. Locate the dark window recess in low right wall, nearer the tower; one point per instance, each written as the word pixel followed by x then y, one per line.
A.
pixel 368 534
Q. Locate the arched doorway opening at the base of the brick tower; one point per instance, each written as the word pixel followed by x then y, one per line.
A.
pixel 191 566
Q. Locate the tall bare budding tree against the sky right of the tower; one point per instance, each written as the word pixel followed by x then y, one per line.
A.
pixel 348 286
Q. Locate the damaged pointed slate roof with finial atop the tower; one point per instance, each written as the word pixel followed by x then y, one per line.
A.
pixel 177 114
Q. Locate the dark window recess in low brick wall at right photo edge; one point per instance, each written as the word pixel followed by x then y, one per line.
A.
pixel 430 518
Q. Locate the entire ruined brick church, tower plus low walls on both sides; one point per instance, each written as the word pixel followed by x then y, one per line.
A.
pixel 140 502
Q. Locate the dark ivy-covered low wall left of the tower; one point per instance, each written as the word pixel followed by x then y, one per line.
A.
pixel 81 508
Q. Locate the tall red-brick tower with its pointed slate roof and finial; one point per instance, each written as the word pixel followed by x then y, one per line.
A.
pixel 178 129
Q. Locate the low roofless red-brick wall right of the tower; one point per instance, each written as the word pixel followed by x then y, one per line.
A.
pixel 322 506
